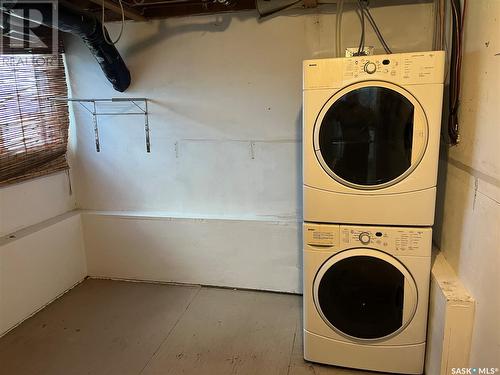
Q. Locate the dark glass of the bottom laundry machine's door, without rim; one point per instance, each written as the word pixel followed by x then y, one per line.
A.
pixel 362 296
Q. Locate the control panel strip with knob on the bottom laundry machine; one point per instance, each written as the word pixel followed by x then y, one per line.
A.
pixel 393 240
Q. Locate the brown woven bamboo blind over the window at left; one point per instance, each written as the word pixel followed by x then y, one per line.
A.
pixel 33 129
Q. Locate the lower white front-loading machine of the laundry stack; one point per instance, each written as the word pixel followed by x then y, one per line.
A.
pixel 366 296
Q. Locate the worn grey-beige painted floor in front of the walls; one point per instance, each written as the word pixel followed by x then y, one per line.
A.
pixel 112 327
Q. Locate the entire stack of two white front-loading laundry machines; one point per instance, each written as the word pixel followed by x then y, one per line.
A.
pixel 371 142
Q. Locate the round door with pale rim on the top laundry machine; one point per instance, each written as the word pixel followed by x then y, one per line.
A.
pixel 370 135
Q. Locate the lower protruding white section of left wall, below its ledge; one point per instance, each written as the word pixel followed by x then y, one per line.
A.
pixel 37 265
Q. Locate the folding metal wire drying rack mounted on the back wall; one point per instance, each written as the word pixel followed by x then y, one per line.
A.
pixel 142 110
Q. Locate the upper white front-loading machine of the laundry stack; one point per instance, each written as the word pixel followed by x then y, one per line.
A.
pixel 371 138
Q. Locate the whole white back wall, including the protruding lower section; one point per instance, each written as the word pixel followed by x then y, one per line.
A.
pixel 225 116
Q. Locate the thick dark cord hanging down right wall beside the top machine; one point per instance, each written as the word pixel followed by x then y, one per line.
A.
pixel 455 68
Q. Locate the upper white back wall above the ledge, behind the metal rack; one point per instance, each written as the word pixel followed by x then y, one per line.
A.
pixel 216 84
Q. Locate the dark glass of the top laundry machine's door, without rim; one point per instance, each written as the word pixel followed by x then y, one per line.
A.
pixel 366 136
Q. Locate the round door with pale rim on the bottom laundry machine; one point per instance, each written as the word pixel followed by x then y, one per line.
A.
pixel 365 294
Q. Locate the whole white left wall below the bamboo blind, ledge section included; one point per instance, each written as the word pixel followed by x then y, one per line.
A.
pixel 41 251
